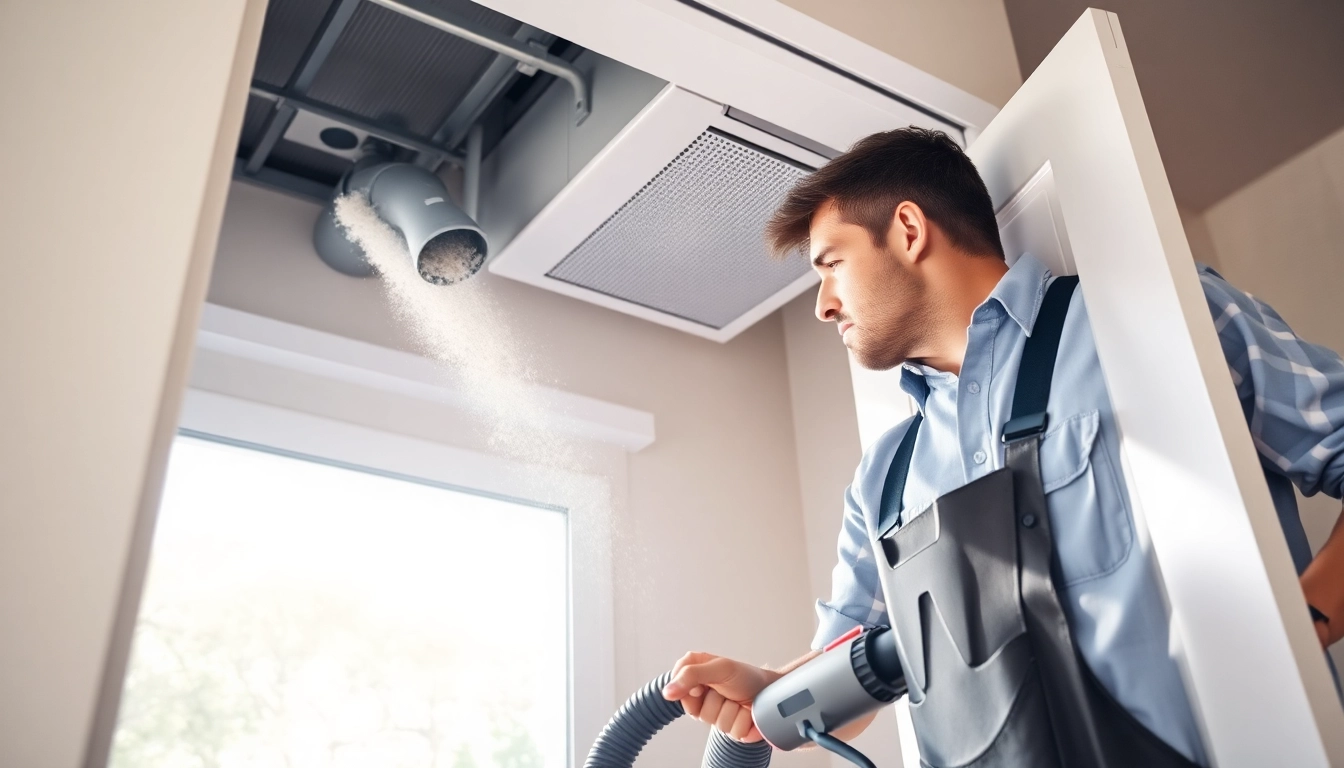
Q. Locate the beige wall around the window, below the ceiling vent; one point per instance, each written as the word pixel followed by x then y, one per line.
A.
pixel 712 552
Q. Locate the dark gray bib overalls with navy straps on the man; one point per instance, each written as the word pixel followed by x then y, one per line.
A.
pixel 994 676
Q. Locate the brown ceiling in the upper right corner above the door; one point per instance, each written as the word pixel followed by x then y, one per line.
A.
pixel 1233 88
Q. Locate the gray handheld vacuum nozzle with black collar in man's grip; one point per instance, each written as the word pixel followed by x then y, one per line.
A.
pixel 853 679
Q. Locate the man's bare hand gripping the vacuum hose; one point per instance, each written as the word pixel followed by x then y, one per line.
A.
pixel 720 692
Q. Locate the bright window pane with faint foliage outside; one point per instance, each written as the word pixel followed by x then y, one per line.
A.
pixel 302 614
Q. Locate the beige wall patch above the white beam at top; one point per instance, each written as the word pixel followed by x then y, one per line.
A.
pixel 963 42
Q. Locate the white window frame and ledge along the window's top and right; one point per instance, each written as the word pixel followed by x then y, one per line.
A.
pixel 253 383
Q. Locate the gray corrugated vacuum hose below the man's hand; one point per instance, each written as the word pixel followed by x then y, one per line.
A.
pixel 644 715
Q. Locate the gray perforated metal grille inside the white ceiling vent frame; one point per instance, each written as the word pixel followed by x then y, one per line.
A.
pixel 690 243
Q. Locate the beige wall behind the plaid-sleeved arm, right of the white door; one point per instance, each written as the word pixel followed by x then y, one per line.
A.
pixel 1282 239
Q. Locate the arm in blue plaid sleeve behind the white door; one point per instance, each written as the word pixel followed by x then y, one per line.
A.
pixel 1294 395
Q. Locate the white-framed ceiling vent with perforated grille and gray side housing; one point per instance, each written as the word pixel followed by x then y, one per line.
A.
pixel 666 221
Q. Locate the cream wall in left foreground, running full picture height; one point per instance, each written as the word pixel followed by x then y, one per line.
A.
pixel 122 122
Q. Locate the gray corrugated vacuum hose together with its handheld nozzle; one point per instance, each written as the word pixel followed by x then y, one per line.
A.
pixel 858 675
